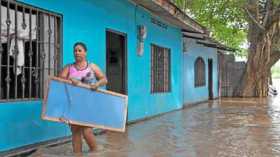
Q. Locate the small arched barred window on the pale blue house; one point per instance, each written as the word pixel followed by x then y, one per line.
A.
pixel 199 72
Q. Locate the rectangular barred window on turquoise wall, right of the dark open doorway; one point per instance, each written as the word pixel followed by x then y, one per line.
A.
pixel 160 69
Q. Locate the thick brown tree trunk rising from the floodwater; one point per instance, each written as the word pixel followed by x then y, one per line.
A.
pixel 262 36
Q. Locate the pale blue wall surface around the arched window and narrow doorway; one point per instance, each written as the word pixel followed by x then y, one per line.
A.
pixel 195 94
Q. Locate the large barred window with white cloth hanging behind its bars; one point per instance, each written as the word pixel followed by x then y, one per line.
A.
pixel 29 50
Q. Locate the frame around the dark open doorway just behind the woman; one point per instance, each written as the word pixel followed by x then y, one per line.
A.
pixel 124 75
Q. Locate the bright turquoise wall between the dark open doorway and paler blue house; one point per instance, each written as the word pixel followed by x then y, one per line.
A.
pixel 141 102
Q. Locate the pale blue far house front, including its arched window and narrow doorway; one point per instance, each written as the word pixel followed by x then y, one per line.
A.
pixel 209 88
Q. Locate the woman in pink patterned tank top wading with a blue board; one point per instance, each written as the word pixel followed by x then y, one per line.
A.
pixel 83 71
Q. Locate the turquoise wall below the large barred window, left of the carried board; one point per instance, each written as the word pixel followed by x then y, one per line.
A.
pixel 21 125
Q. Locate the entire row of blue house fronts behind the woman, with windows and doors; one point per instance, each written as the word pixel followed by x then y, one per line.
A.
pixel 139 49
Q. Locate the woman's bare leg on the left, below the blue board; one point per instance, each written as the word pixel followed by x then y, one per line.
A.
pixel 76 138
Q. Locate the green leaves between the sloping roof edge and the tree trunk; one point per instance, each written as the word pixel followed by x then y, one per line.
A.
pixel 225 19
